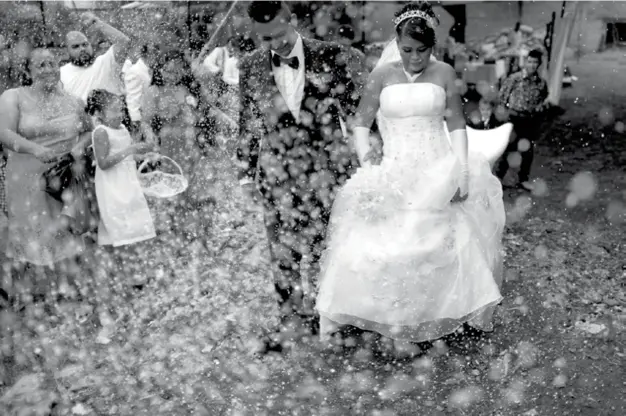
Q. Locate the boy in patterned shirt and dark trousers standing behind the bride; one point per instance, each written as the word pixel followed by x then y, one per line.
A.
pixel 524 95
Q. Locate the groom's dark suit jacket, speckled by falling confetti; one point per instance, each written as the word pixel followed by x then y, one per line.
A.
pixel 310 155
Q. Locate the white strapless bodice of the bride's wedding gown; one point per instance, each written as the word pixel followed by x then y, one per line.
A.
pixel 411 122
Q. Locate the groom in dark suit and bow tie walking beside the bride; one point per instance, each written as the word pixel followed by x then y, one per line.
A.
pixel 296 96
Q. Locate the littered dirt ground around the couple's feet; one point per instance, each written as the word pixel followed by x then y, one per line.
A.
pixel 558 347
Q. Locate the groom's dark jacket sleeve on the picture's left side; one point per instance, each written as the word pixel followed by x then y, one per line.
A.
pixel 250 127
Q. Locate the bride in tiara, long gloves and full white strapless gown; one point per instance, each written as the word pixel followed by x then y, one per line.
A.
pixel 414 246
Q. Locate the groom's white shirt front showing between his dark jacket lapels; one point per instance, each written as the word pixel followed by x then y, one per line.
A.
pixel 290 82
